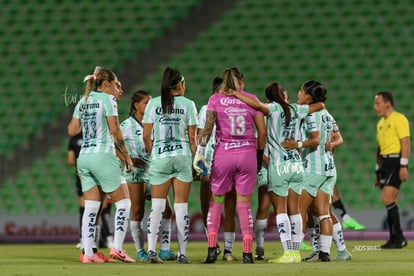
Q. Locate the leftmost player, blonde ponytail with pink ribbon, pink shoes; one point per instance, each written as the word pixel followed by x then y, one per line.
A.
pixel 96 115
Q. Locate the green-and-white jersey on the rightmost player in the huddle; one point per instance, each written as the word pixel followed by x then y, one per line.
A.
pixel 316 159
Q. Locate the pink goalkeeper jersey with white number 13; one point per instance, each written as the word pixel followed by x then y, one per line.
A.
pixel 235 128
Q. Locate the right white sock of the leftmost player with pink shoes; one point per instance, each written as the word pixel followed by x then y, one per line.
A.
pixel 121 218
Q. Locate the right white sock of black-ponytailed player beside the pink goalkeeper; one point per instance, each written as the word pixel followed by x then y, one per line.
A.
pixel 183 226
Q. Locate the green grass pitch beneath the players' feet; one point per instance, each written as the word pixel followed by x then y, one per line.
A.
pixel 63 259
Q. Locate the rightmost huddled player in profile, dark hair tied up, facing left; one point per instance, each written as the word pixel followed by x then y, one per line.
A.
pixel 319 165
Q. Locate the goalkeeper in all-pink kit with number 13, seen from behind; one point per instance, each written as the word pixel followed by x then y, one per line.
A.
pixel 235 143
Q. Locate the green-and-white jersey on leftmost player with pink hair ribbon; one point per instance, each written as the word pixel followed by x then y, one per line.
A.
pixel 96 135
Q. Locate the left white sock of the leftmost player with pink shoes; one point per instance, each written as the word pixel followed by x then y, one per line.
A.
pixel 88 225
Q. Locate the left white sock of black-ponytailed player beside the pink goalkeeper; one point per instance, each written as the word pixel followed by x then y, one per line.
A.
pixel 154 221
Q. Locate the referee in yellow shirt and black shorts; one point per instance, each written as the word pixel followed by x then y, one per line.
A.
pixel 393 137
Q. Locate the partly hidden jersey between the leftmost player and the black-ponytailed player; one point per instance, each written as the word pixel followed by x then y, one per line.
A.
pixel 133 132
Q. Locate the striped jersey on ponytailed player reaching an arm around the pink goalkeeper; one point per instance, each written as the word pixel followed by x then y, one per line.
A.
pixel 277 132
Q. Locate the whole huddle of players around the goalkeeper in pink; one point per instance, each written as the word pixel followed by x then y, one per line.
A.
pixel 234 144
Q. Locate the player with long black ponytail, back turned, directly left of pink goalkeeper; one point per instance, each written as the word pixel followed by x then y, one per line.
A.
pixel 170 123
